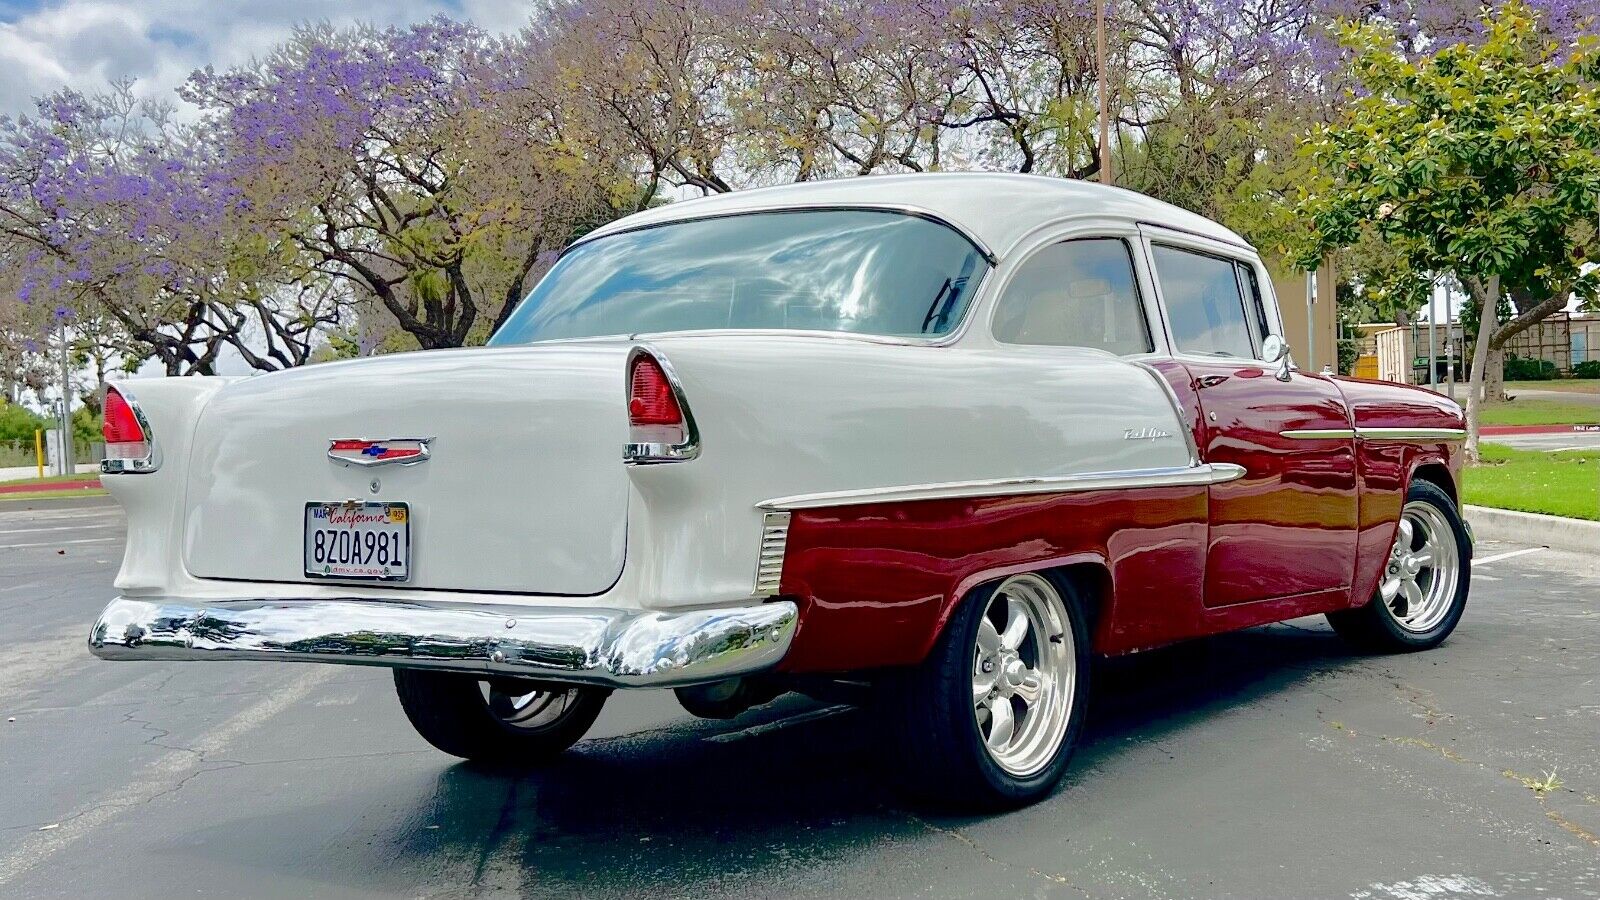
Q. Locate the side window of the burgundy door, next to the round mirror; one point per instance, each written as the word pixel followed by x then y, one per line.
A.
pixel 1204 303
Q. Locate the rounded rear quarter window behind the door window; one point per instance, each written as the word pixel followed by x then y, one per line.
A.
pixel 1078 294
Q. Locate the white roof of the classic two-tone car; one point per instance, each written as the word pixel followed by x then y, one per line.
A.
pixel 994 209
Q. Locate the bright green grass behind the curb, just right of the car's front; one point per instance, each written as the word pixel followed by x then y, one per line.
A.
pixel 1537 481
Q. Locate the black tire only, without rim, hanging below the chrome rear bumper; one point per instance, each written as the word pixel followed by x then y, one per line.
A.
pixel 452 713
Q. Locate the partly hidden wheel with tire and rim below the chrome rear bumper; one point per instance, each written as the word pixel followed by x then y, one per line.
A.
pixel 498 721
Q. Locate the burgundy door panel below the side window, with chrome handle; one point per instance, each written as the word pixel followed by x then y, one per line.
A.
pixel 1289 528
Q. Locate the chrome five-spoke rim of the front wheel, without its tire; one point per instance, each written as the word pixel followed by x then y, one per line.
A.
pixel 1420 579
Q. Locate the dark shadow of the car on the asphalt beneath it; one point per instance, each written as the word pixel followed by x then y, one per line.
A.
pixel 796 784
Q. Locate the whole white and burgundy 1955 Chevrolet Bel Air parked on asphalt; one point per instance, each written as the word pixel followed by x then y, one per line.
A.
pixel 938 436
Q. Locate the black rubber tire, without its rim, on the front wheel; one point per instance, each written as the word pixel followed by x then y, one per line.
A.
pixel 1377 627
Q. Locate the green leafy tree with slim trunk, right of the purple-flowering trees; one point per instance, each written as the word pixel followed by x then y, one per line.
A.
pixel 1481 161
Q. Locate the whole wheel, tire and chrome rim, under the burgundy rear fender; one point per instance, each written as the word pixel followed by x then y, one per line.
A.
pixel 991 718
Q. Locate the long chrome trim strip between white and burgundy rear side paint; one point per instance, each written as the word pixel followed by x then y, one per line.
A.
pixel 1129 480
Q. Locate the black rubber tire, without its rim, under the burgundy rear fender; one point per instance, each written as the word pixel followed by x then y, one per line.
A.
pixel 942 744
